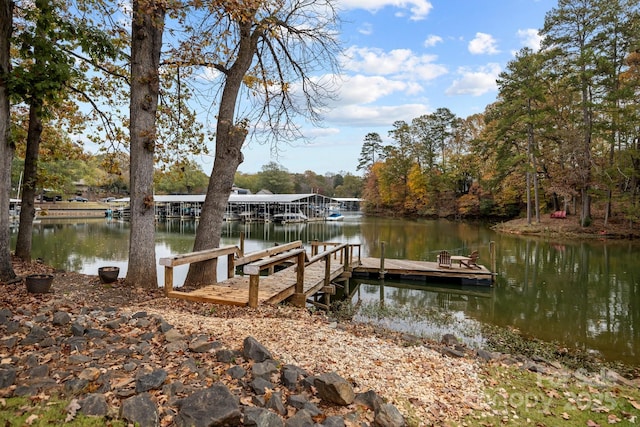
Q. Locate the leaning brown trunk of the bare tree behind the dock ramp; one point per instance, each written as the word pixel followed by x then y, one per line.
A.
pixel 229 140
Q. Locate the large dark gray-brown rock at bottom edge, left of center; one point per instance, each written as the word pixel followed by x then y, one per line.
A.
pixel 212 407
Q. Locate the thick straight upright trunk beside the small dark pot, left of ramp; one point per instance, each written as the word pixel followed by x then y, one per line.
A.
pixel 146 44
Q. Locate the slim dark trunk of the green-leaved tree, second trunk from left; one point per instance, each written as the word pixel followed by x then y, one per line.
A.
pixel 27 205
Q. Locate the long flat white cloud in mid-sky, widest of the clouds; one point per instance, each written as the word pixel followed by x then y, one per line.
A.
pixel 398 62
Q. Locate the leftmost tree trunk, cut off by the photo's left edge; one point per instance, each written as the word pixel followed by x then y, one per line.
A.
pixel 6 146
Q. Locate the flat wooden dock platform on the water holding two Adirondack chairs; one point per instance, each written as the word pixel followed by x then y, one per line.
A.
pixel 427 269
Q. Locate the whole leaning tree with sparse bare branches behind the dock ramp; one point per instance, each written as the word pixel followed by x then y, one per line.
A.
pixel 271 48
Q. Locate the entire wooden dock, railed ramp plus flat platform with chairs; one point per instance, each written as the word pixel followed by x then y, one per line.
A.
pixel 287 272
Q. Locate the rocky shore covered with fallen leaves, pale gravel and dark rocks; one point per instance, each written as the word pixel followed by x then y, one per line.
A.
pixel 132 355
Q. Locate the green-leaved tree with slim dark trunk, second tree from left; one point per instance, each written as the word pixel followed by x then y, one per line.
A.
pixel 49 46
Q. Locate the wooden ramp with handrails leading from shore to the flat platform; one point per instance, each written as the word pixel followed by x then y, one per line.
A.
pixel 291 274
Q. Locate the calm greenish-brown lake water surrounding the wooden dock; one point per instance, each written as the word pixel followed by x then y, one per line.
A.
pixel 580 294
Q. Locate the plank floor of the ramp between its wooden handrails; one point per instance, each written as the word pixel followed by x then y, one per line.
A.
pixel 273 289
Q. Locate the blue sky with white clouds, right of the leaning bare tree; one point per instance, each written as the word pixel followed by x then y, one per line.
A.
pixel 403 59
